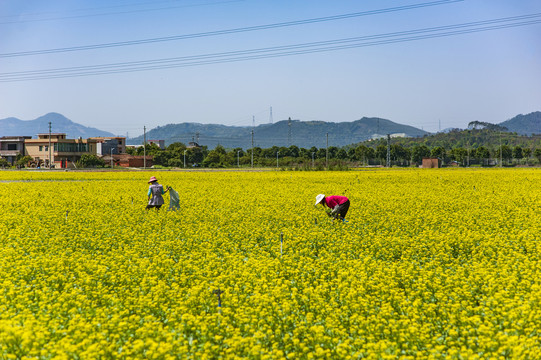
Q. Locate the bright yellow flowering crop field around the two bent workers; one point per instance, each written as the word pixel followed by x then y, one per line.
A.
pixel 433 264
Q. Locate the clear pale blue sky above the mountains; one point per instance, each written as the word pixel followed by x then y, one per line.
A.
pixel 443 81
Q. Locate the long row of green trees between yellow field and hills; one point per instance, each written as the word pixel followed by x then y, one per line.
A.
pixel 364 154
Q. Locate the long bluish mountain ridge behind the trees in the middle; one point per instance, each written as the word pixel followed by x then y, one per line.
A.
pixel 283 133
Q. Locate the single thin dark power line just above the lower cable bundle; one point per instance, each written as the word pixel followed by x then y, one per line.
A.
pixel 227 31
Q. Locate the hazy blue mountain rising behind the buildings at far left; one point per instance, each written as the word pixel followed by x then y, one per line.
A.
pixel 59 124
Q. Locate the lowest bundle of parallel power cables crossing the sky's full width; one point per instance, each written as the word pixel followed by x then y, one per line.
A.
pixel 271 52
